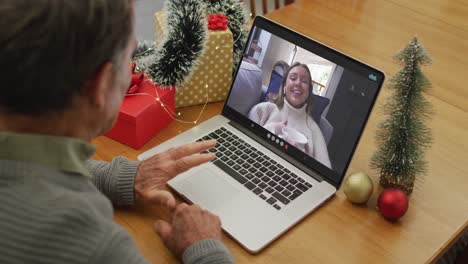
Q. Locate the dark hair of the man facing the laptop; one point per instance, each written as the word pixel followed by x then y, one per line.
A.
pixel 49 49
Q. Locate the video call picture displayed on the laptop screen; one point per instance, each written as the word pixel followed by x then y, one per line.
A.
pixel 321 114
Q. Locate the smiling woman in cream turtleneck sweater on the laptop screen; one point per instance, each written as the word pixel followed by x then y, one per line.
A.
pixel 289 114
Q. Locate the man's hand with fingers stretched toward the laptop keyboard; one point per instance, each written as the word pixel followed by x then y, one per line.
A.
pixel 153 173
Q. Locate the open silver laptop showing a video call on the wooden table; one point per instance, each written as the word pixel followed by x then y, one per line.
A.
pixel 276 163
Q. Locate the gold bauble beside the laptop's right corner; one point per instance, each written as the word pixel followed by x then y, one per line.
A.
pixel 358 187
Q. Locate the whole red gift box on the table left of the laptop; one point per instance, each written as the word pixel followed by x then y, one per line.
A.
pixel 141 115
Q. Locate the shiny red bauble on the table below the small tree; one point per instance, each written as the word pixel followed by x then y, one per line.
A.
pixel 392 203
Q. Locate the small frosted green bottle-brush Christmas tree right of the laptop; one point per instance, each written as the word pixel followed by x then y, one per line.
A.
pixel 403 136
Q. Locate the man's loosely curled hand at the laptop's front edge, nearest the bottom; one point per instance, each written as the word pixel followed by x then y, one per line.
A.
pixel 189 224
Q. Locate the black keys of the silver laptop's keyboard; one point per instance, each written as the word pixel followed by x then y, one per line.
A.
pixel 257 172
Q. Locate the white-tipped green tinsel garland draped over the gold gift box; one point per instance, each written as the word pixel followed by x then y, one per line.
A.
pixel 174 60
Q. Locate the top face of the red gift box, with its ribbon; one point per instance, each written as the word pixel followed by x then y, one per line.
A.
pixel 135 104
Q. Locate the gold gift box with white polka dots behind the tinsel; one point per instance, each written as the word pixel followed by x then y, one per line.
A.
pixel 211 78
